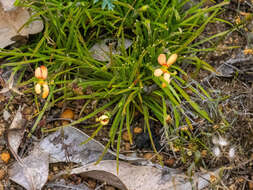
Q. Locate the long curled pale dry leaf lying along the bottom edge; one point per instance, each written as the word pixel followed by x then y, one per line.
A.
pixel 132 177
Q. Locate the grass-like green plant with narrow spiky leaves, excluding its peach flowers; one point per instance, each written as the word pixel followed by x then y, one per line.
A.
pixel 125 86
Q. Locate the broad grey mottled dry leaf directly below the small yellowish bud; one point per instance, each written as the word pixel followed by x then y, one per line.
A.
pixel 65 146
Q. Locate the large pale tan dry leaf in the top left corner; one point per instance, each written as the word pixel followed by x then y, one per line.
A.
pixel 13 23
